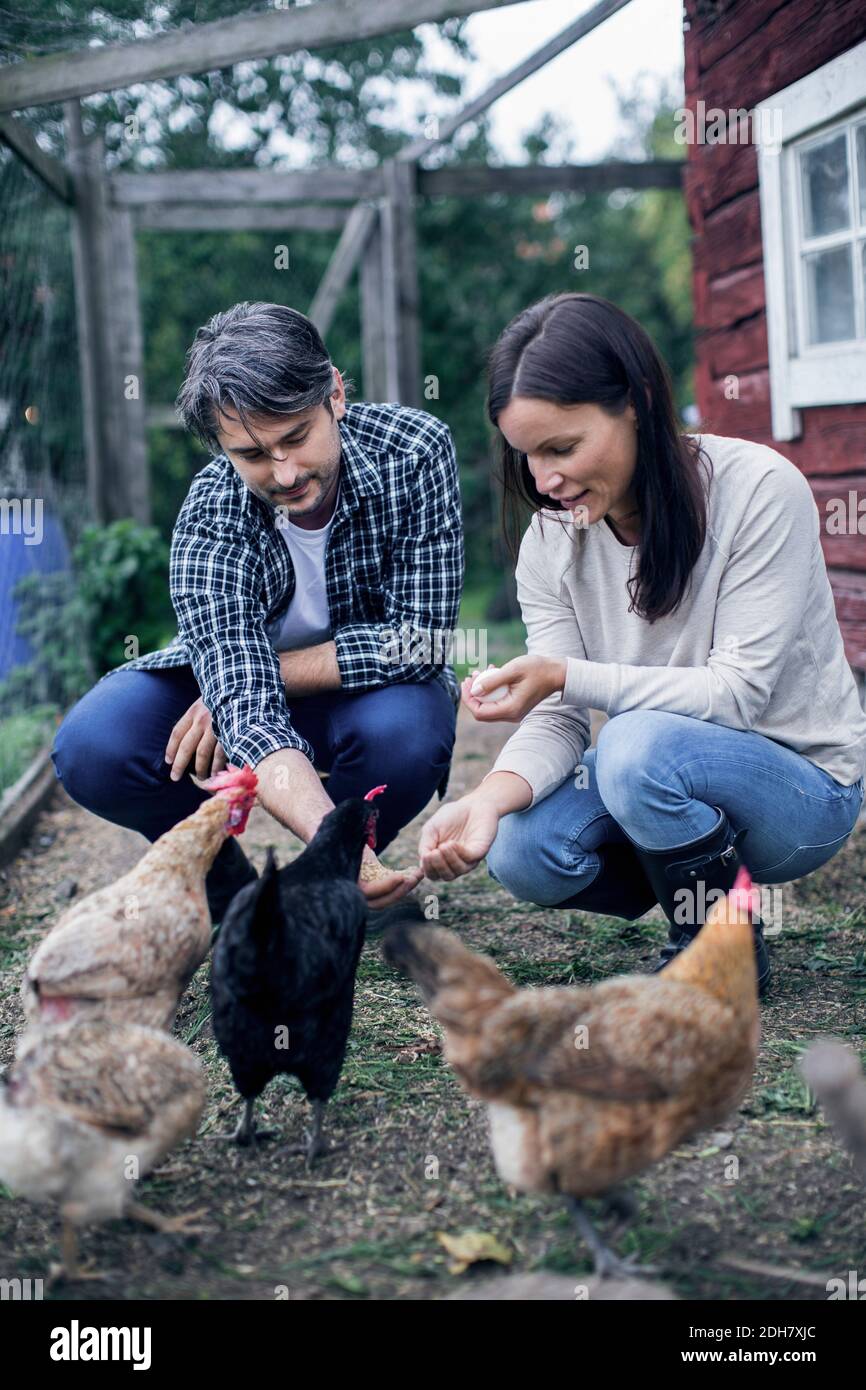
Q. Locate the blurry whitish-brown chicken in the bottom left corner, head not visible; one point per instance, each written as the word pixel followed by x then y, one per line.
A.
pixel 87 1110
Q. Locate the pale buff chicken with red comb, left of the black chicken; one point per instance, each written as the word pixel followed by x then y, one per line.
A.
pixel 130 950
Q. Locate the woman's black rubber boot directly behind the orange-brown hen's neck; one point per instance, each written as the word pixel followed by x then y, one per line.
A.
pixel 715 860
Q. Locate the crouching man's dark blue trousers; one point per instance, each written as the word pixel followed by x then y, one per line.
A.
pixel 111 750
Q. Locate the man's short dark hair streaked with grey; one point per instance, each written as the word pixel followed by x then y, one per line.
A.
pixel 258 361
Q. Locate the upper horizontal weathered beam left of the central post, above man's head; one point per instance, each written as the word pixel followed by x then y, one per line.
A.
pixel 323 186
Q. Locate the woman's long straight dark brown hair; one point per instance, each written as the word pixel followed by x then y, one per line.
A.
pixel 579 348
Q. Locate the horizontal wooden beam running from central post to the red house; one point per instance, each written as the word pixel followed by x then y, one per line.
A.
pixel 477 180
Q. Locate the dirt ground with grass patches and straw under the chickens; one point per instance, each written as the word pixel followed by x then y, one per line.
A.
pixel 412 1159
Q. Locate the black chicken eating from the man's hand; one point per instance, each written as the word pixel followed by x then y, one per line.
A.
pixel 283 979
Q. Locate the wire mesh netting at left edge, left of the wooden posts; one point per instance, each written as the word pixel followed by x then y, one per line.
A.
pixel 44 497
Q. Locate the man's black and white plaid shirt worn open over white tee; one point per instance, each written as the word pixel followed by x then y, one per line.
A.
pixel 394 566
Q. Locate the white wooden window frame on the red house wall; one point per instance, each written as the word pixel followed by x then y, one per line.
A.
pixel 803 376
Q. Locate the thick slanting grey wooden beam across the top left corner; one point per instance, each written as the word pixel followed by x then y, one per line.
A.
pixel 204 48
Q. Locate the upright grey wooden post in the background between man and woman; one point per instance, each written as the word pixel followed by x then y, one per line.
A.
pixel 401 280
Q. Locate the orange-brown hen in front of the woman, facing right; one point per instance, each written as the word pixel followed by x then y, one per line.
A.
pixel 587 1088
